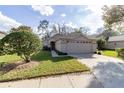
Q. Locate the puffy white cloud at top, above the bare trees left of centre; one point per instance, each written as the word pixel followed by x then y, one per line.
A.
pixel 44 10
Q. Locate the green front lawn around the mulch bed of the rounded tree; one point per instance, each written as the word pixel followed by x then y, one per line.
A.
pixel 47 66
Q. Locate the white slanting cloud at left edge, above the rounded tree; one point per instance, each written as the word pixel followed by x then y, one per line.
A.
pixel 6 23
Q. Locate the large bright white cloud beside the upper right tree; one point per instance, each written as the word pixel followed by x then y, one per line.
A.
pixel 94 19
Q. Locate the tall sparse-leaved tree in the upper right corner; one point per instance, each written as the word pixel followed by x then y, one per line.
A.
pixel 113 17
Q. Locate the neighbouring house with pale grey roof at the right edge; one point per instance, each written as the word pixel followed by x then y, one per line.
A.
pixel 115 42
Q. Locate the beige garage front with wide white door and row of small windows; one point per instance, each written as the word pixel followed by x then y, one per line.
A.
pixel 77 46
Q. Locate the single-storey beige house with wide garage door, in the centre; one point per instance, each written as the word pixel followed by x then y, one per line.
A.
pixel 72 43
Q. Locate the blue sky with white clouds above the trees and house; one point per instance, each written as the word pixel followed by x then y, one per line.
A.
pixel 74 16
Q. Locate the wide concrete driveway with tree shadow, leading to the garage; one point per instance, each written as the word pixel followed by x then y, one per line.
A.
pixel 109 71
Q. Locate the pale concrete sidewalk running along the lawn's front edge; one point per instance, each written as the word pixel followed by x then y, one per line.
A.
pixel 75 80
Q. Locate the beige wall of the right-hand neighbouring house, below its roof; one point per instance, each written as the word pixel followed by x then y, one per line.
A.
pixel 114 45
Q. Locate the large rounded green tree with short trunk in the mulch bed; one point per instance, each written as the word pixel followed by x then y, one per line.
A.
pixel 24 43
